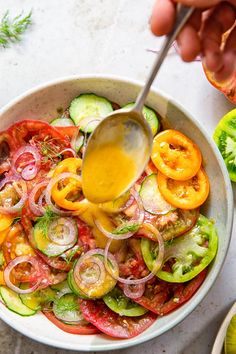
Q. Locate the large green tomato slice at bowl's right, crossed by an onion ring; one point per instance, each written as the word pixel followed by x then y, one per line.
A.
pixel 188 254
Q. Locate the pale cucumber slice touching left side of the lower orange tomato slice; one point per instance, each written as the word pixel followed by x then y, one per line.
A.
pixel 153 202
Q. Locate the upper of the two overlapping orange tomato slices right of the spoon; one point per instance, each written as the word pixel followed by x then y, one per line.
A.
pixel 175 155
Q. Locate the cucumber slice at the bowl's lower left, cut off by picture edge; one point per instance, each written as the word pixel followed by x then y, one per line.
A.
pixel 23 309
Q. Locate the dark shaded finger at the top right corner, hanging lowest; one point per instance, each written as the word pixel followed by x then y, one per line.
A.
pixel 219 21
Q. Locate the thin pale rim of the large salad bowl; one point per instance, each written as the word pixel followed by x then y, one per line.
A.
pixel 121 344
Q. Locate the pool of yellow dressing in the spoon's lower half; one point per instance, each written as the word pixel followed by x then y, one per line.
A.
pixel 106 173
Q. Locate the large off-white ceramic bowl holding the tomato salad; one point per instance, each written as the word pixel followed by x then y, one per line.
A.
pixel 43 103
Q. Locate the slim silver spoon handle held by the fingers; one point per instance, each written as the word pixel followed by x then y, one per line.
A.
pixel 183 14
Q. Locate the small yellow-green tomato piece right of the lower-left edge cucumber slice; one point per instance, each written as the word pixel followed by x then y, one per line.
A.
pixel 38 298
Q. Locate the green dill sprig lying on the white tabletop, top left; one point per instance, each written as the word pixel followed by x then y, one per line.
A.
pixel 12 29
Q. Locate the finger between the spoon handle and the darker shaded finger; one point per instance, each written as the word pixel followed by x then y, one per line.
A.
pixel 188 40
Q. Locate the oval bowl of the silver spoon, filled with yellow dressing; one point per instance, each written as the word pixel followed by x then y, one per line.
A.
pixel 124 133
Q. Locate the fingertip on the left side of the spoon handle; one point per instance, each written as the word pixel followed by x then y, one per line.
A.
pixel 163 17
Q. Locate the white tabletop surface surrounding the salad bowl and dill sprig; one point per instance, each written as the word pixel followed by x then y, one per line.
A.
pixel 111 37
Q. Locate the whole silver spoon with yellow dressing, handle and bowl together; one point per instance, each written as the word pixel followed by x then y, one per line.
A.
pixel 127 129
